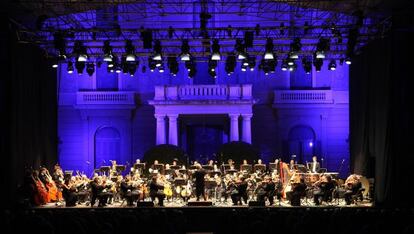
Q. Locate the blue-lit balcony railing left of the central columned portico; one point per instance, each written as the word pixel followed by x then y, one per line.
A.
pixel 105 98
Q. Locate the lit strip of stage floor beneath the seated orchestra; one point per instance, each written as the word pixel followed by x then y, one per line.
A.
pixel 219 204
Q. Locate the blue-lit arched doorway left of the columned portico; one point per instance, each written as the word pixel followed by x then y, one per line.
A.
pixel 107 146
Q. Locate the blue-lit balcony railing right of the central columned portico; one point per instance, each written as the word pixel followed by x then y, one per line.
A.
pixel 303 96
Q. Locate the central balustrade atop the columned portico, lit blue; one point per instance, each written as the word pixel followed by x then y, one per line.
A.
pixel 204 92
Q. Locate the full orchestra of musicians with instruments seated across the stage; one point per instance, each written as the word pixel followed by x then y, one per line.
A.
pixel 287 182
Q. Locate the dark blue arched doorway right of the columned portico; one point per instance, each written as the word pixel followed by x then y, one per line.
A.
pixel 302 143
